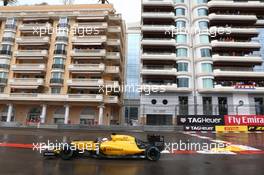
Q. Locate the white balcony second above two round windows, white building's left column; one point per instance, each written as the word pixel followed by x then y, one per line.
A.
pixel 158 70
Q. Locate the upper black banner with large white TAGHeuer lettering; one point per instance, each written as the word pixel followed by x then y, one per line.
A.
pixel 200 120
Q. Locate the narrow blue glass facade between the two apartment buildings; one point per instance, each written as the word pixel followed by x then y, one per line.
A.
pixel 132 76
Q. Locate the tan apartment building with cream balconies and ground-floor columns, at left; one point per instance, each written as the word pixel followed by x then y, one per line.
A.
pixel 56 62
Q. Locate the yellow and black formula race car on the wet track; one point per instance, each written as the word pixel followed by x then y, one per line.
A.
pixel 118 146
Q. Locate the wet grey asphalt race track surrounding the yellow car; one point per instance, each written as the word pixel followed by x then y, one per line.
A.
pixel 20 160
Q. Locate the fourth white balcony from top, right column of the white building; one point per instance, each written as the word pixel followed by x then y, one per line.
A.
pixel 236 44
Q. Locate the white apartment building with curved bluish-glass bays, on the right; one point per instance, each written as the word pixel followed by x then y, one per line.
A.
pixel 203 53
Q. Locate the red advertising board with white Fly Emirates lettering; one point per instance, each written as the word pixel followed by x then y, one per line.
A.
pixel 246 120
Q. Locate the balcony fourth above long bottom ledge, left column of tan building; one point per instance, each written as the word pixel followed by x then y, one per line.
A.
pixel 33 40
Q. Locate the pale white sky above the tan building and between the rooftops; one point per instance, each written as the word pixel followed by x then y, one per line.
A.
pixel 130 9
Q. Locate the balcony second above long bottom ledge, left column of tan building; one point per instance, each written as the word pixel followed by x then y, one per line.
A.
pixel 28 68
